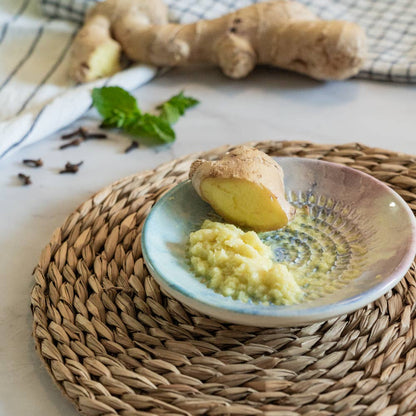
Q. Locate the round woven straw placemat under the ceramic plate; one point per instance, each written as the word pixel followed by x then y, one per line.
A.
pixel 115 344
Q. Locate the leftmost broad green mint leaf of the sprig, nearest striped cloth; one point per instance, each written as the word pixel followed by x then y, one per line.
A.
pixel 115 105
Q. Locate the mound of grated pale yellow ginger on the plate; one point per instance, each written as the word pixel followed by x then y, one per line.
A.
pixel 238 264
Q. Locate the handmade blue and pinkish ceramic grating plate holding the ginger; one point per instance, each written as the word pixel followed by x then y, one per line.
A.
pixel 374 224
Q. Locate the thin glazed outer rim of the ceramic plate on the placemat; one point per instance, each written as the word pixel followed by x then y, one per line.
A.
pixel 280 315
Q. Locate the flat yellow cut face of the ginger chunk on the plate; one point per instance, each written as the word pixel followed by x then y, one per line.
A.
pixel 244 203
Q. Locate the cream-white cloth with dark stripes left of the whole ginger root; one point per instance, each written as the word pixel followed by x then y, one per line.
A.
pixel 36 96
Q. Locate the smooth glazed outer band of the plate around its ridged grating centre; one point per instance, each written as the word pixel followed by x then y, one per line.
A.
pixel 383 217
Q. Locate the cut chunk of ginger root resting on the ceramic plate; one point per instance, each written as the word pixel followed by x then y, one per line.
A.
pixel 245 187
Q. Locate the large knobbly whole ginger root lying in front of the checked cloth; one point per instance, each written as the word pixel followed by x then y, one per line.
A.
pixel 279 33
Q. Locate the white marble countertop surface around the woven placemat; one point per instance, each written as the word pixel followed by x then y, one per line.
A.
pixel 268 105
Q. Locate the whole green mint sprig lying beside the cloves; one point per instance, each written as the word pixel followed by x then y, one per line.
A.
pixel 119 109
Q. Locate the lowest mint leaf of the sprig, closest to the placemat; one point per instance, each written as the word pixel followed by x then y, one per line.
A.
pixel 151 126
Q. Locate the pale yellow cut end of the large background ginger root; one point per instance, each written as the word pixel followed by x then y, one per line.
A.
pixel 105 60
